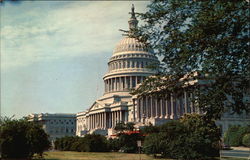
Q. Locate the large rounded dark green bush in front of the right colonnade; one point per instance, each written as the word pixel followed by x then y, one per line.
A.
pixel 191 137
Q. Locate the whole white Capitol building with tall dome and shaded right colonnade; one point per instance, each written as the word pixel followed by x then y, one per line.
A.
pixel 127 68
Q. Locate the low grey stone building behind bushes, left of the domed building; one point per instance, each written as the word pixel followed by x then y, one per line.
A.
pixel 56 125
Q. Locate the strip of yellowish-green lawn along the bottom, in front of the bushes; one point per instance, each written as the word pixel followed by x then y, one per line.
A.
pixel 66 155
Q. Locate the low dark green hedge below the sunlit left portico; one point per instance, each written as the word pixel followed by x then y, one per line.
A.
pixel 88 143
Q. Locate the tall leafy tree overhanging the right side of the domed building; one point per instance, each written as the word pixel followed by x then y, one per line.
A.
pixel 210 37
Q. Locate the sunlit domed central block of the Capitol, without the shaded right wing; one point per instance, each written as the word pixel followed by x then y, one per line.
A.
pixel 127 68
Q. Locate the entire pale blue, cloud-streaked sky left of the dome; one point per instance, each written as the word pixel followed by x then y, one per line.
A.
pixel 54 54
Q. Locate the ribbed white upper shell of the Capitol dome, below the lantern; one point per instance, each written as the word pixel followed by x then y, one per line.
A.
pixel 129 44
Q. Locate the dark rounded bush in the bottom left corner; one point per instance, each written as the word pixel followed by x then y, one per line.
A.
pixel 22 139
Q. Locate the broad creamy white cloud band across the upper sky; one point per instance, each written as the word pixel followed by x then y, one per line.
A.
pixel 76 29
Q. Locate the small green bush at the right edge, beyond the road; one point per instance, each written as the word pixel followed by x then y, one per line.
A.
pixel 234 135
